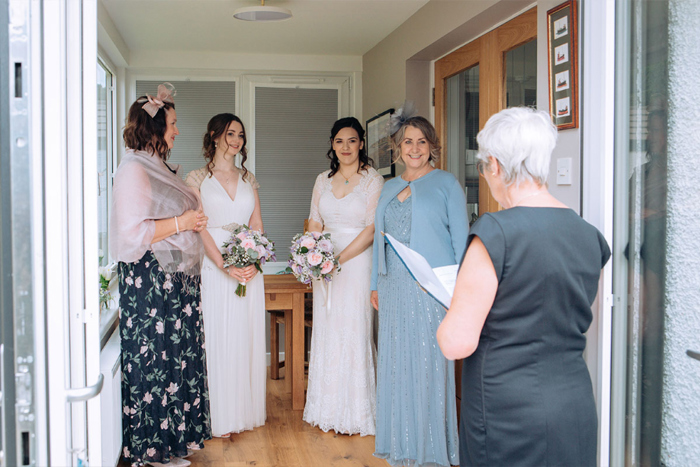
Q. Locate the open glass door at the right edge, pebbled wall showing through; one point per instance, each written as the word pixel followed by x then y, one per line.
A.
pixel 655 404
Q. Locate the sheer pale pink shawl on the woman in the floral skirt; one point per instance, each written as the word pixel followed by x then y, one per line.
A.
pixel 145 190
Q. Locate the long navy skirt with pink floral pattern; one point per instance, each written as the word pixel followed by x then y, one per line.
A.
pixel 164 382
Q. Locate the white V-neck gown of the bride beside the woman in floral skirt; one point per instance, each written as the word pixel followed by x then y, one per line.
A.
pixel 234 327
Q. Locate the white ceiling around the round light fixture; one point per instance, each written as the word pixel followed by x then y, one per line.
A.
pixel 318 27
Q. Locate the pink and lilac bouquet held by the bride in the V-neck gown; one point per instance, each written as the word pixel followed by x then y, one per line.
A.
pixel 246 247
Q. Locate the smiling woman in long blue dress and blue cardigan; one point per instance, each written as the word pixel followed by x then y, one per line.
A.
pixel 424 208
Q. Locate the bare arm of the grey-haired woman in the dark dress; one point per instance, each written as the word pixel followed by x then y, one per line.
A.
pixel 475 291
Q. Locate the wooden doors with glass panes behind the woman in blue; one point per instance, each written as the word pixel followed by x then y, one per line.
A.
pixel 494 71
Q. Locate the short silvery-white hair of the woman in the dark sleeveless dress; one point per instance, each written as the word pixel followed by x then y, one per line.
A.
pixel 521 139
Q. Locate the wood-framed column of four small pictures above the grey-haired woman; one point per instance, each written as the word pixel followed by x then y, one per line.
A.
pixel 562 47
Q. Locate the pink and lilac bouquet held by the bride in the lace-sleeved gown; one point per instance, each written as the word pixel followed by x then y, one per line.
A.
pixel 311 257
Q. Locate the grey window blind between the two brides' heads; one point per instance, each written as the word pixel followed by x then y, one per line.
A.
pixel 292 136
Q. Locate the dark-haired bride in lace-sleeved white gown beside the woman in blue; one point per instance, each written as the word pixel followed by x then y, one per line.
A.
pixel 341 394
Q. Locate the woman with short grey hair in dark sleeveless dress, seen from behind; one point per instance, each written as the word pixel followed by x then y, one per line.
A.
pixel 521 307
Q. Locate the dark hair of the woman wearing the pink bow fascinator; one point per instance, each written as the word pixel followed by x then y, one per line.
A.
pixel 145 133
